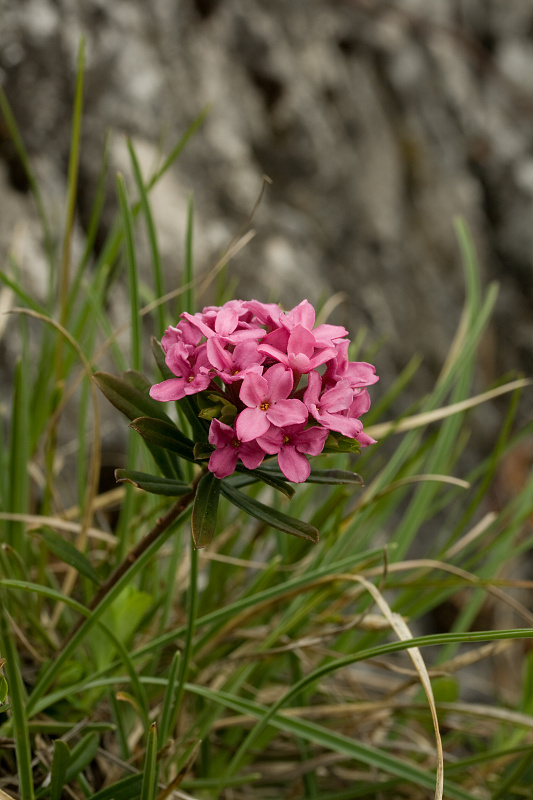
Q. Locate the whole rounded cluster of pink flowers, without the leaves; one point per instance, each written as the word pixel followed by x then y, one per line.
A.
pixel 281 384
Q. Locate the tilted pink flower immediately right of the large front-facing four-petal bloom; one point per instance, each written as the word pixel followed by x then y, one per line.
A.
pixel 331 407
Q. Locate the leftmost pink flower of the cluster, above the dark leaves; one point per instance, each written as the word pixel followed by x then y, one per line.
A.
pixel 192 376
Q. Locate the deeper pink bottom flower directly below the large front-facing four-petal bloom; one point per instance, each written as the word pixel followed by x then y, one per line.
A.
pixel 290 443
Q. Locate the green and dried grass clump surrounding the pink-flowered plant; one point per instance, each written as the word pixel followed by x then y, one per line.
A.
pixel 139 667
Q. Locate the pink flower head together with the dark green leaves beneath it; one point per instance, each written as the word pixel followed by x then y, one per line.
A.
pixel 252 382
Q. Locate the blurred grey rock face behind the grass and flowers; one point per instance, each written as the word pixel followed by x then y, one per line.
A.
pixel 377 123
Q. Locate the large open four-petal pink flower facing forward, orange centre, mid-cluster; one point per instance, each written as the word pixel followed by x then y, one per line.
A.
pixel 266 398
